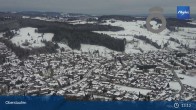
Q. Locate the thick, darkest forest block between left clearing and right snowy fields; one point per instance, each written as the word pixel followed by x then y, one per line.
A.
pixel 75 38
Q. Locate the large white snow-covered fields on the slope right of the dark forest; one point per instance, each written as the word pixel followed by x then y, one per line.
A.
pixel 184 35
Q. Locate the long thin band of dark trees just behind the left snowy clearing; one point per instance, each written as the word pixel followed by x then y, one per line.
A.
pixel 66 26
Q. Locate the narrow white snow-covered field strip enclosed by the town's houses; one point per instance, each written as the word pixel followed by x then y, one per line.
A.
pixel 131 89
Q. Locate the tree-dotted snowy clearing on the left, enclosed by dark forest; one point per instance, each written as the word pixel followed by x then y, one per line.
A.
pixel 28 38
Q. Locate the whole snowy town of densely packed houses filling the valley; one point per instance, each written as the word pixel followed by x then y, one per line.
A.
pixel 78 75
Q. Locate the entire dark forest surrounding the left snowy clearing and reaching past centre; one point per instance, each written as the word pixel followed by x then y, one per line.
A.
pixel 73 35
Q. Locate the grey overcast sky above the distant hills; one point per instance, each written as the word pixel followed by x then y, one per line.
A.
pixel 97 7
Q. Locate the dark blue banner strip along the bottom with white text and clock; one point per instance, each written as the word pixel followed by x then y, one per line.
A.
pixel 59 103
